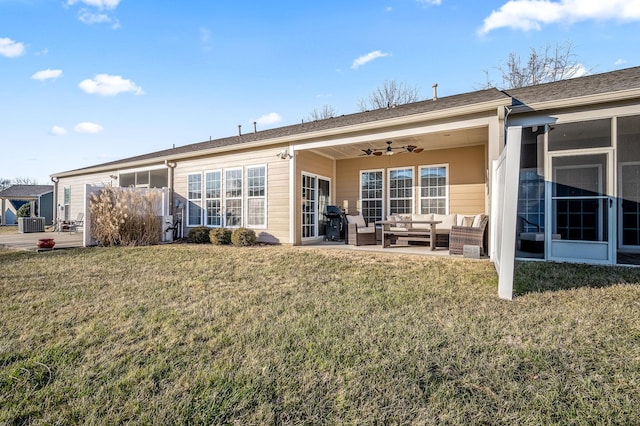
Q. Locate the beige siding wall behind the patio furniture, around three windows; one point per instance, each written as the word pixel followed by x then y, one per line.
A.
pixel 467 171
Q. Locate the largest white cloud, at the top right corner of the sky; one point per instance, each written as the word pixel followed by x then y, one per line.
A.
pixel 529 15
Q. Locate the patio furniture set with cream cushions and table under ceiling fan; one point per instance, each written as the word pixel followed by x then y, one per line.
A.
pixel 452 231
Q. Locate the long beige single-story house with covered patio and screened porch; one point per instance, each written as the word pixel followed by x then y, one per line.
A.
pixel 555 166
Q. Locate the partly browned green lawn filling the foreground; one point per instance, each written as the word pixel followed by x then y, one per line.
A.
pixel 201 334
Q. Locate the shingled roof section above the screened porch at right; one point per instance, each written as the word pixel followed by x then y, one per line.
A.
pixel 595 84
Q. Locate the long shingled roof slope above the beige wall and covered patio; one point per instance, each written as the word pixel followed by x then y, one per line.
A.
pixel 441 104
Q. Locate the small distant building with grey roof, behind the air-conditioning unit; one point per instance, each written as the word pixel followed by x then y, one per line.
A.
pixel 39 196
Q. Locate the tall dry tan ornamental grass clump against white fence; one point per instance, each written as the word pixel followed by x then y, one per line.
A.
pixel 125 216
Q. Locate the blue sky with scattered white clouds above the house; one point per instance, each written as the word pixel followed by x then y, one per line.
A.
pixel 84 82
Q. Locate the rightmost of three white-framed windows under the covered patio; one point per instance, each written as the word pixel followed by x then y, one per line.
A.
pixel 434 189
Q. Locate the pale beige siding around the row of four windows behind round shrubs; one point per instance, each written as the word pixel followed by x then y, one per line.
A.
pixel 277 230
